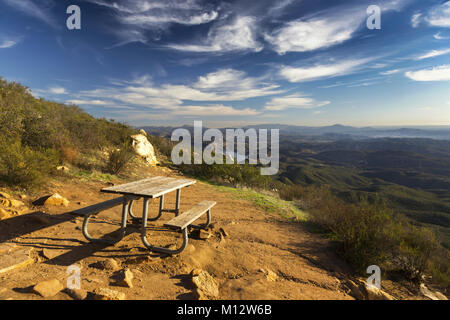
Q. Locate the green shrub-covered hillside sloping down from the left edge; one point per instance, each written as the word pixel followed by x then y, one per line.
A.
pixel 36 134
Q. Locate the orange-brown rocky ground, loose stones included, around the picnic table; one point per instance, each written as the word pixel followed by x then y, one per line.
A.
pixel 246 254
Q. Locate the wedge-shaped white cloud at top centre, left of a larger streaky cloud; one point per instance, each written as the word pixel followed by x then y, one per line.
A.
pixel 237 36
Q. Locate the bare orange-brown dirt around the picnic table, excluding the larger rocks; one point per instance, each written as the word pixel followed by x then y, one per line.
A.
pixel 304 264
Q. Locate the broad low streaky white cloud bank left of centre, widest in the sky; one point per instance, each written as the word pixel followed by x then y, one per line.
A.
pixel 221 85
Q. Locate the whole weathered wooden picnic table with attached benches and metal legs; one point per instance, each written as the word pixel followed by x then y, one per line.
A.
pixel 148 189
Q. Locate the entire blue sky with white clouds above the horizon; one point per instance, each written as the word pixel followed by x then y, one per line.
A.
pixel 233 63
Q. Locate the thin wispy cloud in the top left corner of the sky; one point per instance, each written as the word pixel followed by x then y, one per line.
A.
pixel 38 10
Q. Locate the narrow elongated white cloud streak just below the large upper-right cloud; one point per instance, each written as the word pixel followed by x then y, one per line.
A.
pixel 303 74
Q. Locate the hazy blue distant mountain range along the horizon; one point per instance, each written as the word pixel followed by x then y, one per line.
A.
pixel 338 131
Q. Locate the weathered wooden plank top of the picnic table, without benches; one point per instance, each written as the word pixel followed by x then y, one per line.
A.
pixel 151 187
